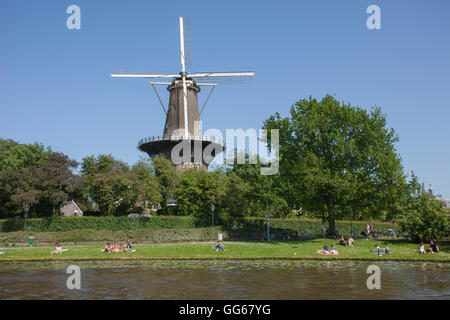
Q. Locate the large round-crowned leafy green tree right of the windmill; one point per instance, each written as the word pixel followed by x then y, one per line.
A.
pixel 336 159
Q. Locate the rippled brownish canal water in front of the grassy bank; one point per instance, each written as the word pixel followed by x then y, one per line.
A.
pixel 199 280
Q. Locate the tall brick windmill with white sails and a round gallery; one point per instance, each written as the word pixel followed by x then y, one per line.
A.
pixel 183 126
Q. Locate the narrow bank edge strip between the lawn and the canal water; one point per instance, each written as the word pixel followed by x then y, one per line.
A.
pixel 331 258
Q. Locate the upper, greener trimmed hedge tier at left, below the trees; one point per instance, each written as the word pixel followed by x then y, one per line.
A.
pixel 111 223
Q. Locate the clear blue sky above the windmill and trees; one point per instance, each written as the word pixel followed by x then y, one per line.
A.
pixel 55 86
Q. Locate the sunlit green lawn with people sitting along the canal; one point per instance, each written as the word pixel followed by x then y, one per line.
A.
pixel 402 250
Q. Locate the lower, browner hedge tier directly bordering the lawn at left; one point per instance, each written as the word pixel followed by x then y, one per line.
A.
pixel 103 236
